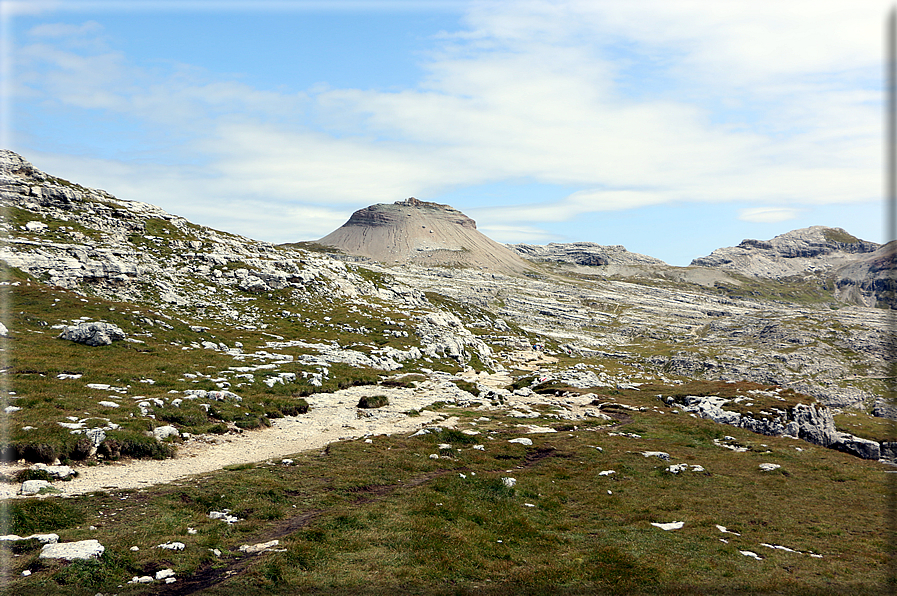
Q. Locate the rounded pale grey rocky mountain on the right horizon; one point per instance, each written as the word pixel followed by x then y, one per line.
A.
pixel 798 252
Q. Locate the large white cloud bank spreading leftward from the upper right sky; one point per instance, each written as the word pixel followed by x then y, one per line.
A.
pixel 631 103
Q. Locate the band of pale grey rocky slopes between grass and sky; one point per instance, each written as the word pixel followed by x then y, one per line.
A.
pixel 650 317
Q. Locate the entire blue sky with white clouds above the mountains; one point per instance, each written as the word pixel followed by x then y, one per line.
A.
pixel 670 127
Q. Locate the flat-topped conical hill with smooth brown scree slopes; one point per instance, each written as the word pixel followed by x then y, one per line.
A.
pixel 421 233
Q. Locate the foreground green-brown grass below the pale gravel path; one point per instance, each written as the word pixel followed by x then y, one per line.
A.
pixel 385 518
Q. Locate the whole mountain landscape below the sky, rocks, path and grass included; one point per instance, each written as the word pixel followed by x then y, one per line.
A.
pixel 223 413
